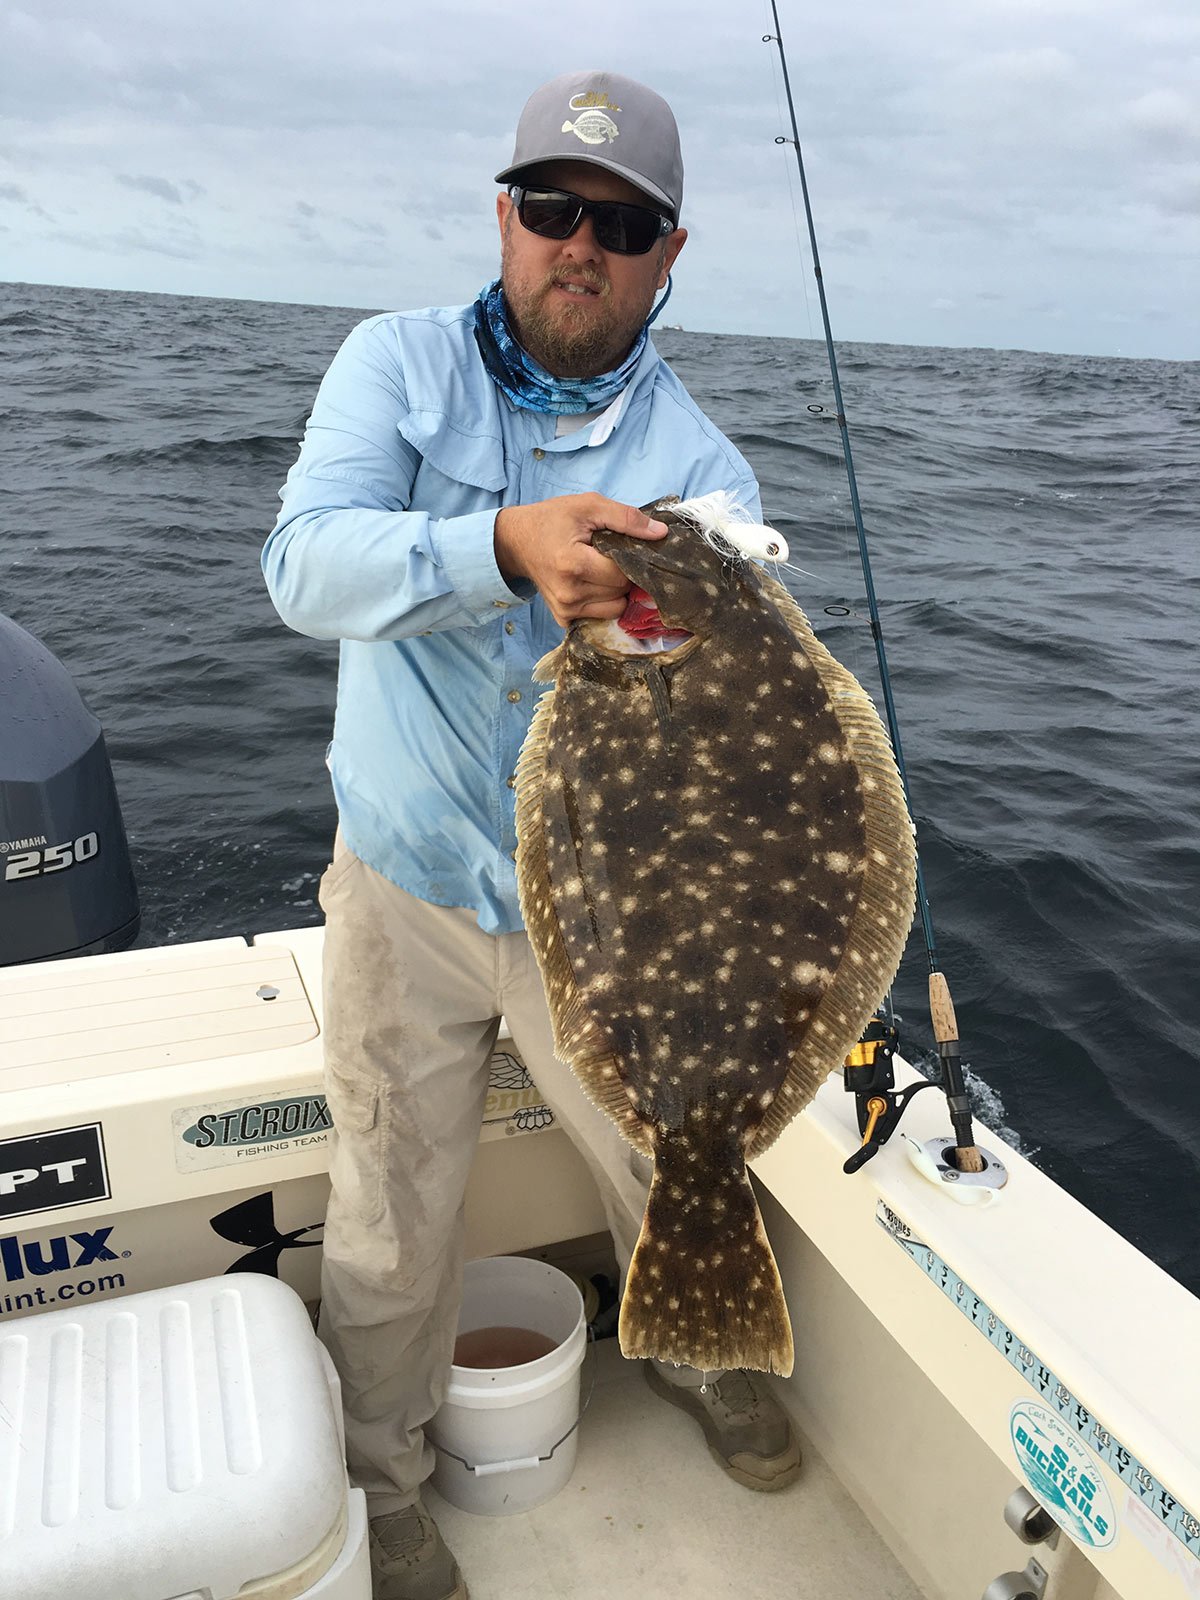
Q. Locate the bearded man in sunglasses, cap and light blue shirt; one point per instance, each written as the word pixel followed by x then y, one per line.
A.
pixel 439 524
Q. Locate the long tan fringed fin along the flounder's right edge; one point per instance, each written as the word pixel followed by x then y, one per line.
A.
pixel 884 906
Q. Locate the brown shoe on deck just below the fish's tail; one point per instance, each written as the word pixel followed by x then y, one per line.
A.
pixel 748 1431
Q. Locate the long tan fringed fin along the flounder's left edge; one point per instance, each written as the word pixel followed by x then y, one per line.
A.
pixel 578 1041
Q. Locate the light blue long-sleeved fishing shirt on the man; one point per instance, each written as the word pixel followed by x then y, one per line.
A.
pixel 386 543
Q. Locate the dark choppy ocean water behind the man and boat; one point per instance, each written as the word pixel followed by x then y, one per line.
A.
pixel 1033 524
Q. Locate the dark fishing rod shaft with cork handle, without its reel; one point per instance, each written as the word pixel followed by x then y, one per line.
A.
pixel 945 1025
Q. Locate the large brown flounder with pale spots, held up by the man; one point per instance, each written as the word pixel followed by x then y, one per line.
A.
pixel 718 873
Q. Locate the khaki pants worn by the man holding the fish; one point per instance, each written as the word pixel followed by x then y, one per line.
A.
pixel 414 998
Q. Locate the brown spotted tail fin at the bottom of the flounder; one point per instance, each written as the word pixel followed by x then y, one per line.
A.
pixel 703 1287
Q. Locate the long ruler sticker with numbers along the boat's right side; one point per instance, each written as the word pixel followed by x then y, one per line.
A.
pixel 1082 1423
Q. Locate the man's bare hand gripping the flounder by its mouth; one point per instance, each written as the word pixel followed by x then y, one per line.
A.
pixel 551 545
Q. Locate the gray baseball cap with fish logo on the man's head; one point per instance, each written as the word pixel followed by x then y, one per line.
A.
pixel 607 121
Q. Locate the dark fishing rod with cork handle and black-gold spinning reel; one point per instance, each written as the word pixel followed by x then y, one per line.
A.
pixel 967 1156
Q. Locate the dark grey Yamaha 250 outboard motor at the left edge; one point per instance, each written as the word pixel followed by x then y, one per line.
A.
pixel 66 882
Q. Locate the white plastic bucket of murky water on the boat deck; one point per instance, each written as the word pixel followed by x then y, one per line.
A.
pixel 503 1422
